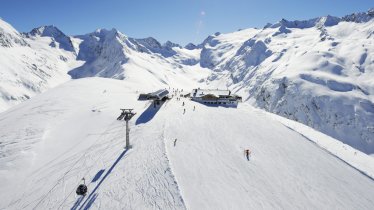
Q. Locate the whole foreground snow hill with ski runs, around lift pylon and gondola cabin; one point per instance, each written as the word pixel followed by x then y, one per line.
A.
pixel 51 141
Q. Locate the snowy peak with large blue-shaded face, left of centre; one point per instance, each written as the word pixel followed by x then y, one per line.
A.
pixel 112 54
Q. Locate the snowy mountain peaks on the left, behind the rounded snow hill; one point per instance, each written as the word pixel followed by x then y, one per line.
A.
pixel 45 57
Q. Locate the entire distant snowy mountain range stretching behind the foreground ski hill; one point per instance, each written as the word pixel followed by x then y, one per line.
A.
pixel 319 71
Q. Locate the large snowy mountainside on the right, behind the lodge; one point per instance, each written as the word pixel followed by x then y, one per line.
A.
pixel 319 72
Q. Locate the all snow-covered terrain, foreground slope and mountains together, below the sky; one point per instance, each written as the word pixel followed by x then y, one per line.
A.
pixel 317 72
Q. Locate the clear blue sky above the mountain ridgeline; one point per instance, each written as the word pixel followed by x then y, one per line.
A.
pixel 180 21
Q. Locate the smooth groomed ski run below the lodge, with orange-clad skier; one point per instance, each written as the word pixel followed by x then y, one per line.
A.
pixel 285 171
